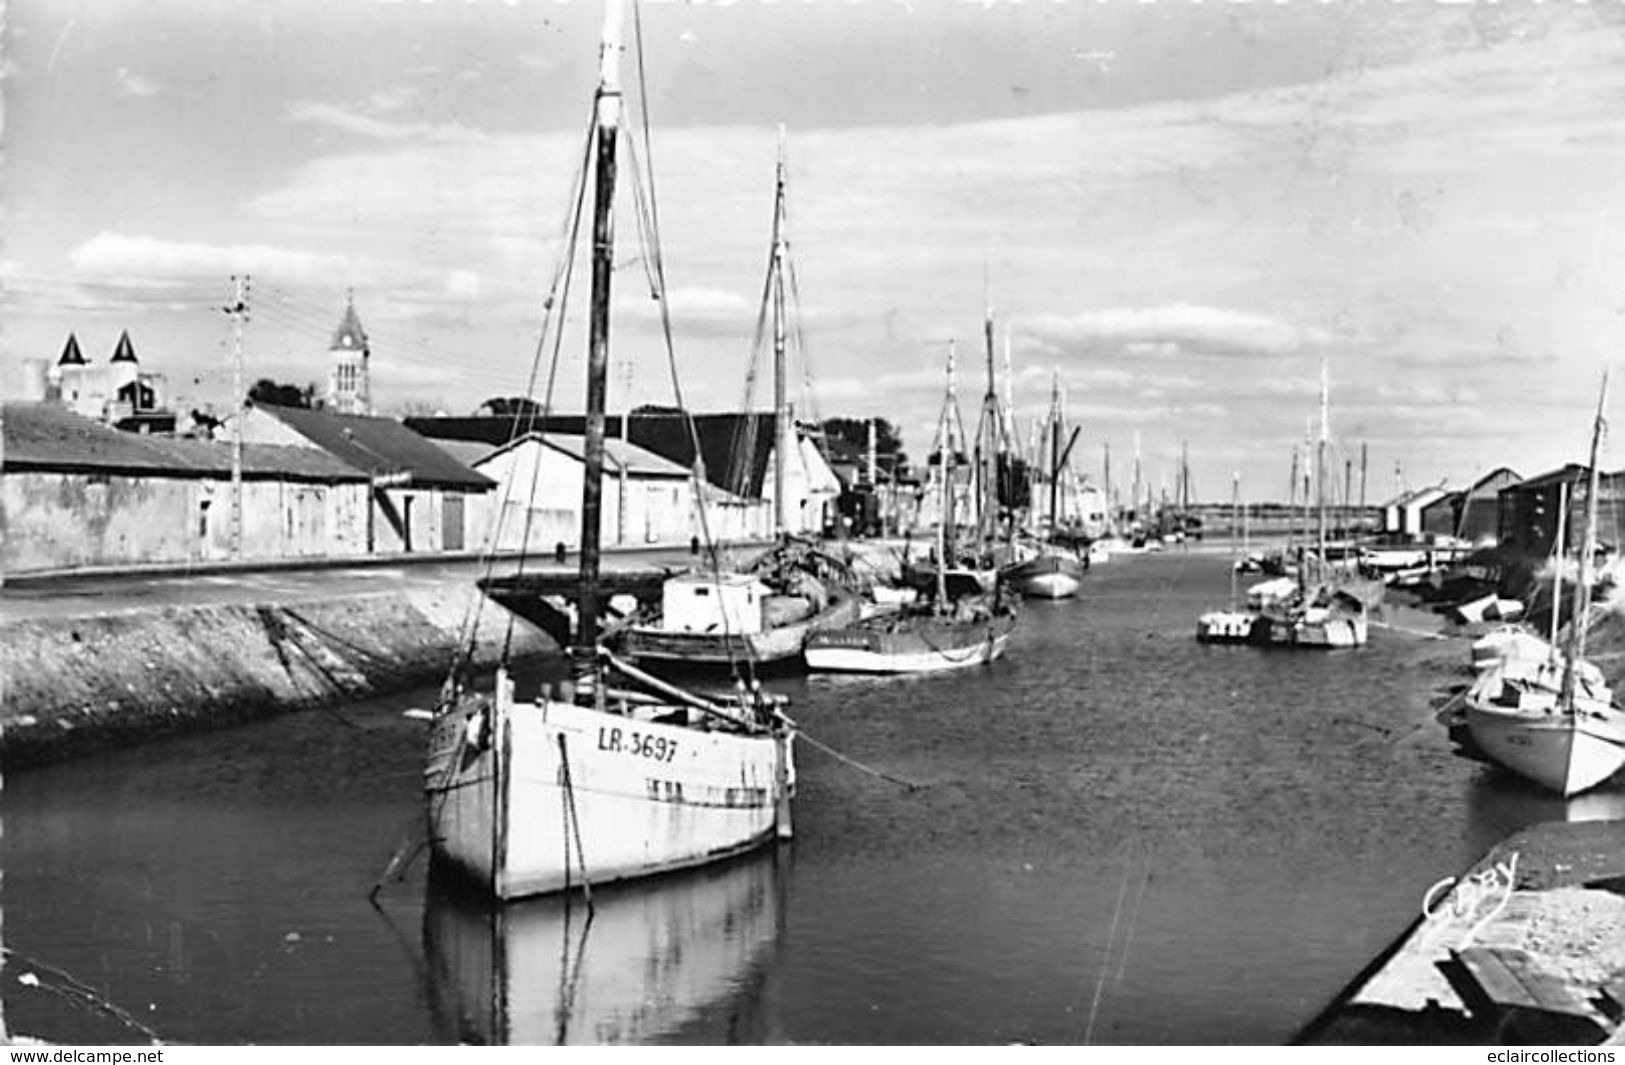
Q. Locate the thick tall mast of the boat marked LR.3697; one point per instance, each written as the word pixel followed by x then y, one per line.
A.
pixel 607 131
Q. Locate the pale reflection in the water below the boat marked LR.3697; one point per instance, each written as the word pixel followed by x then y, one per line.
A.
pixel 677 958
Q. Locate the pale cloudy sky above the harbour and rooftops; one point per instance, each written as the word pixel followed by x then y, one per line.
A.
pixel 1179 211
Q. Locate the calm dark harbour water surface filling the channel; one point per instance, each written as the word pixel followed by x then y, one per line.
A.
pixel 1119 837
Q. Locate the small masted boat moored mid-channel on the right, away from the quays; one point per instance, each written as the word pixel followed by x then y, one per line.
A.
pixel 1332 612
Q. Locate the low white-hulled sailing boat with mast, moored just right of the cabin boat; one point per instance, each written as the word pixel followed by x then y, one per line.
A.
pixel 961 622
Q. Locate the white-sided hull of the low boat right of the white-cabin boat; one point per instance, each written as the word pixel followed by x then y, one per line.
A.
pixel 917 646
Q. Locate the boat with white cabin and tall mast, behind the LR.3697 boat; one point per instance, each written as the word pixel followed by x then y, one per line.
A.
pixel 766 612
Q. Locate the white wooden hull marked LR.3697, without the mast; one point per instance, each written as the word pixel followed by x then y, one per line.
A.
pixel 545 796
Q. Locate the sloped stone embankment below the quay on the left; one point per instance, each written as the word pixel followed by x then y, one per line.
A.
pixel 82 684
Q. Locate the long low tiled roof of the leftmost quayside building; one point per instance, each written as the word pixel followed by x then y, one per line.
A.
pixel 48 438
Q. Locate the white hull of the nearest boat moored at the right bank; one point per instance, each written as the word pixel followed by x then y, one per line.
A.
pixel 1567 754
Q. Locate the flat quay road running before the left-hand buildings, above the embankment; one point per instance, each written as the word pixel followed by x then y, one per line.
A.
pixel 69 594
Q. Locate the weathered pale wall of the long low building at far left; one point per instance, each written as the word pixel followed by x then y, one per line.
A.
pixel 63 521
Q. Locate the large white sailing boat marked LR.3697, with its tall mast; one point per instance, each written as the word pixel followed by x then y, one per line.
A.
pixel 615 773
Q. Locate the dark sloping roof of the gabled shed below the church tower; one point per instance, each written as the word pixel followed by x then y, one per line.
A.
pixel 381 448
